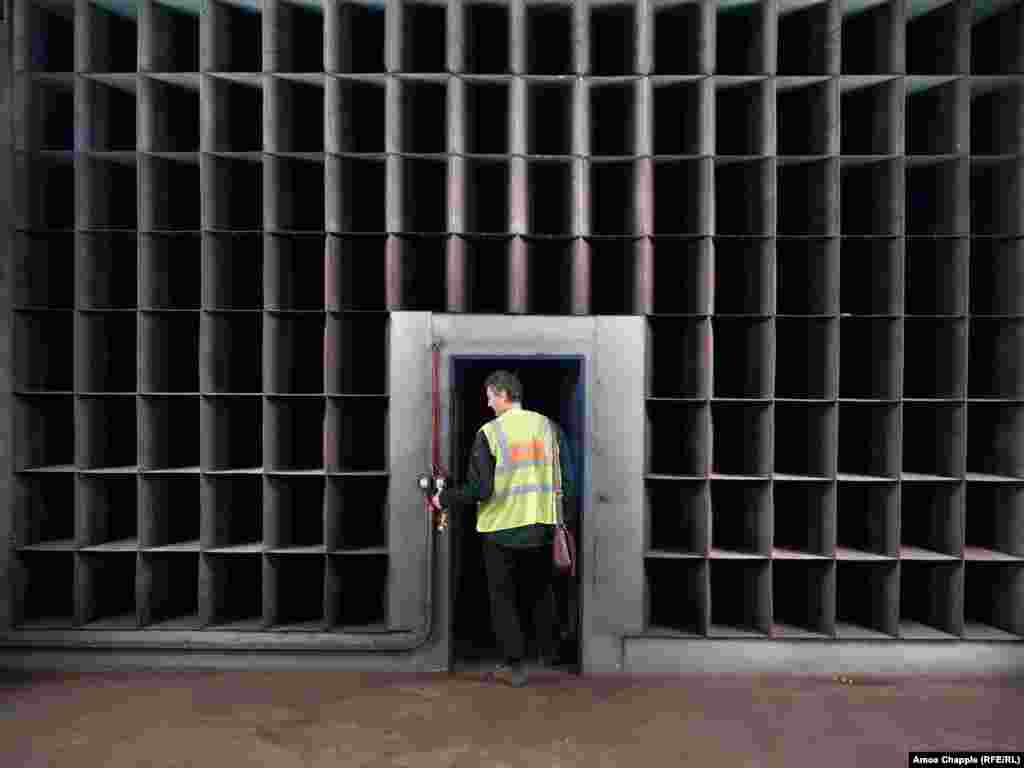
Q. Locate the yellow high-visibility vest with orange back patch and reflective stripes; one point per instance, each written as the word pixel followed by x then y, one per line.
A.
pixel 524 444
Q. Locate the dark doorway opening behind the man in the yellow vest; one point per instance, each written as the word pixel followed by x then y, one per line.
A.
pixel 553 387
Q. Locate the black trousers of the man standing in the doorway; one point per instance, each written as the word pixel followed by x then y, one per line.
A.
pixel 520 582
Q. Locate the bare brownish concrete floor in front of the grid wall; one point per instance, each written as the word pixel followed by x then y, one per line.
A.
pixel 283 719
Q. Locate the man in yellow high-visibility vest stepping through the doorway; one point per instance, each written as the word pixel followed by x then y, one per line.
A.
pixel 519 470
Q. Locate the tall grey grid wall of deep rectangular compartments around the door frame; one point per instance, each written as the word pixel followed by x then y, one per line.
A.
pixel 216 209
